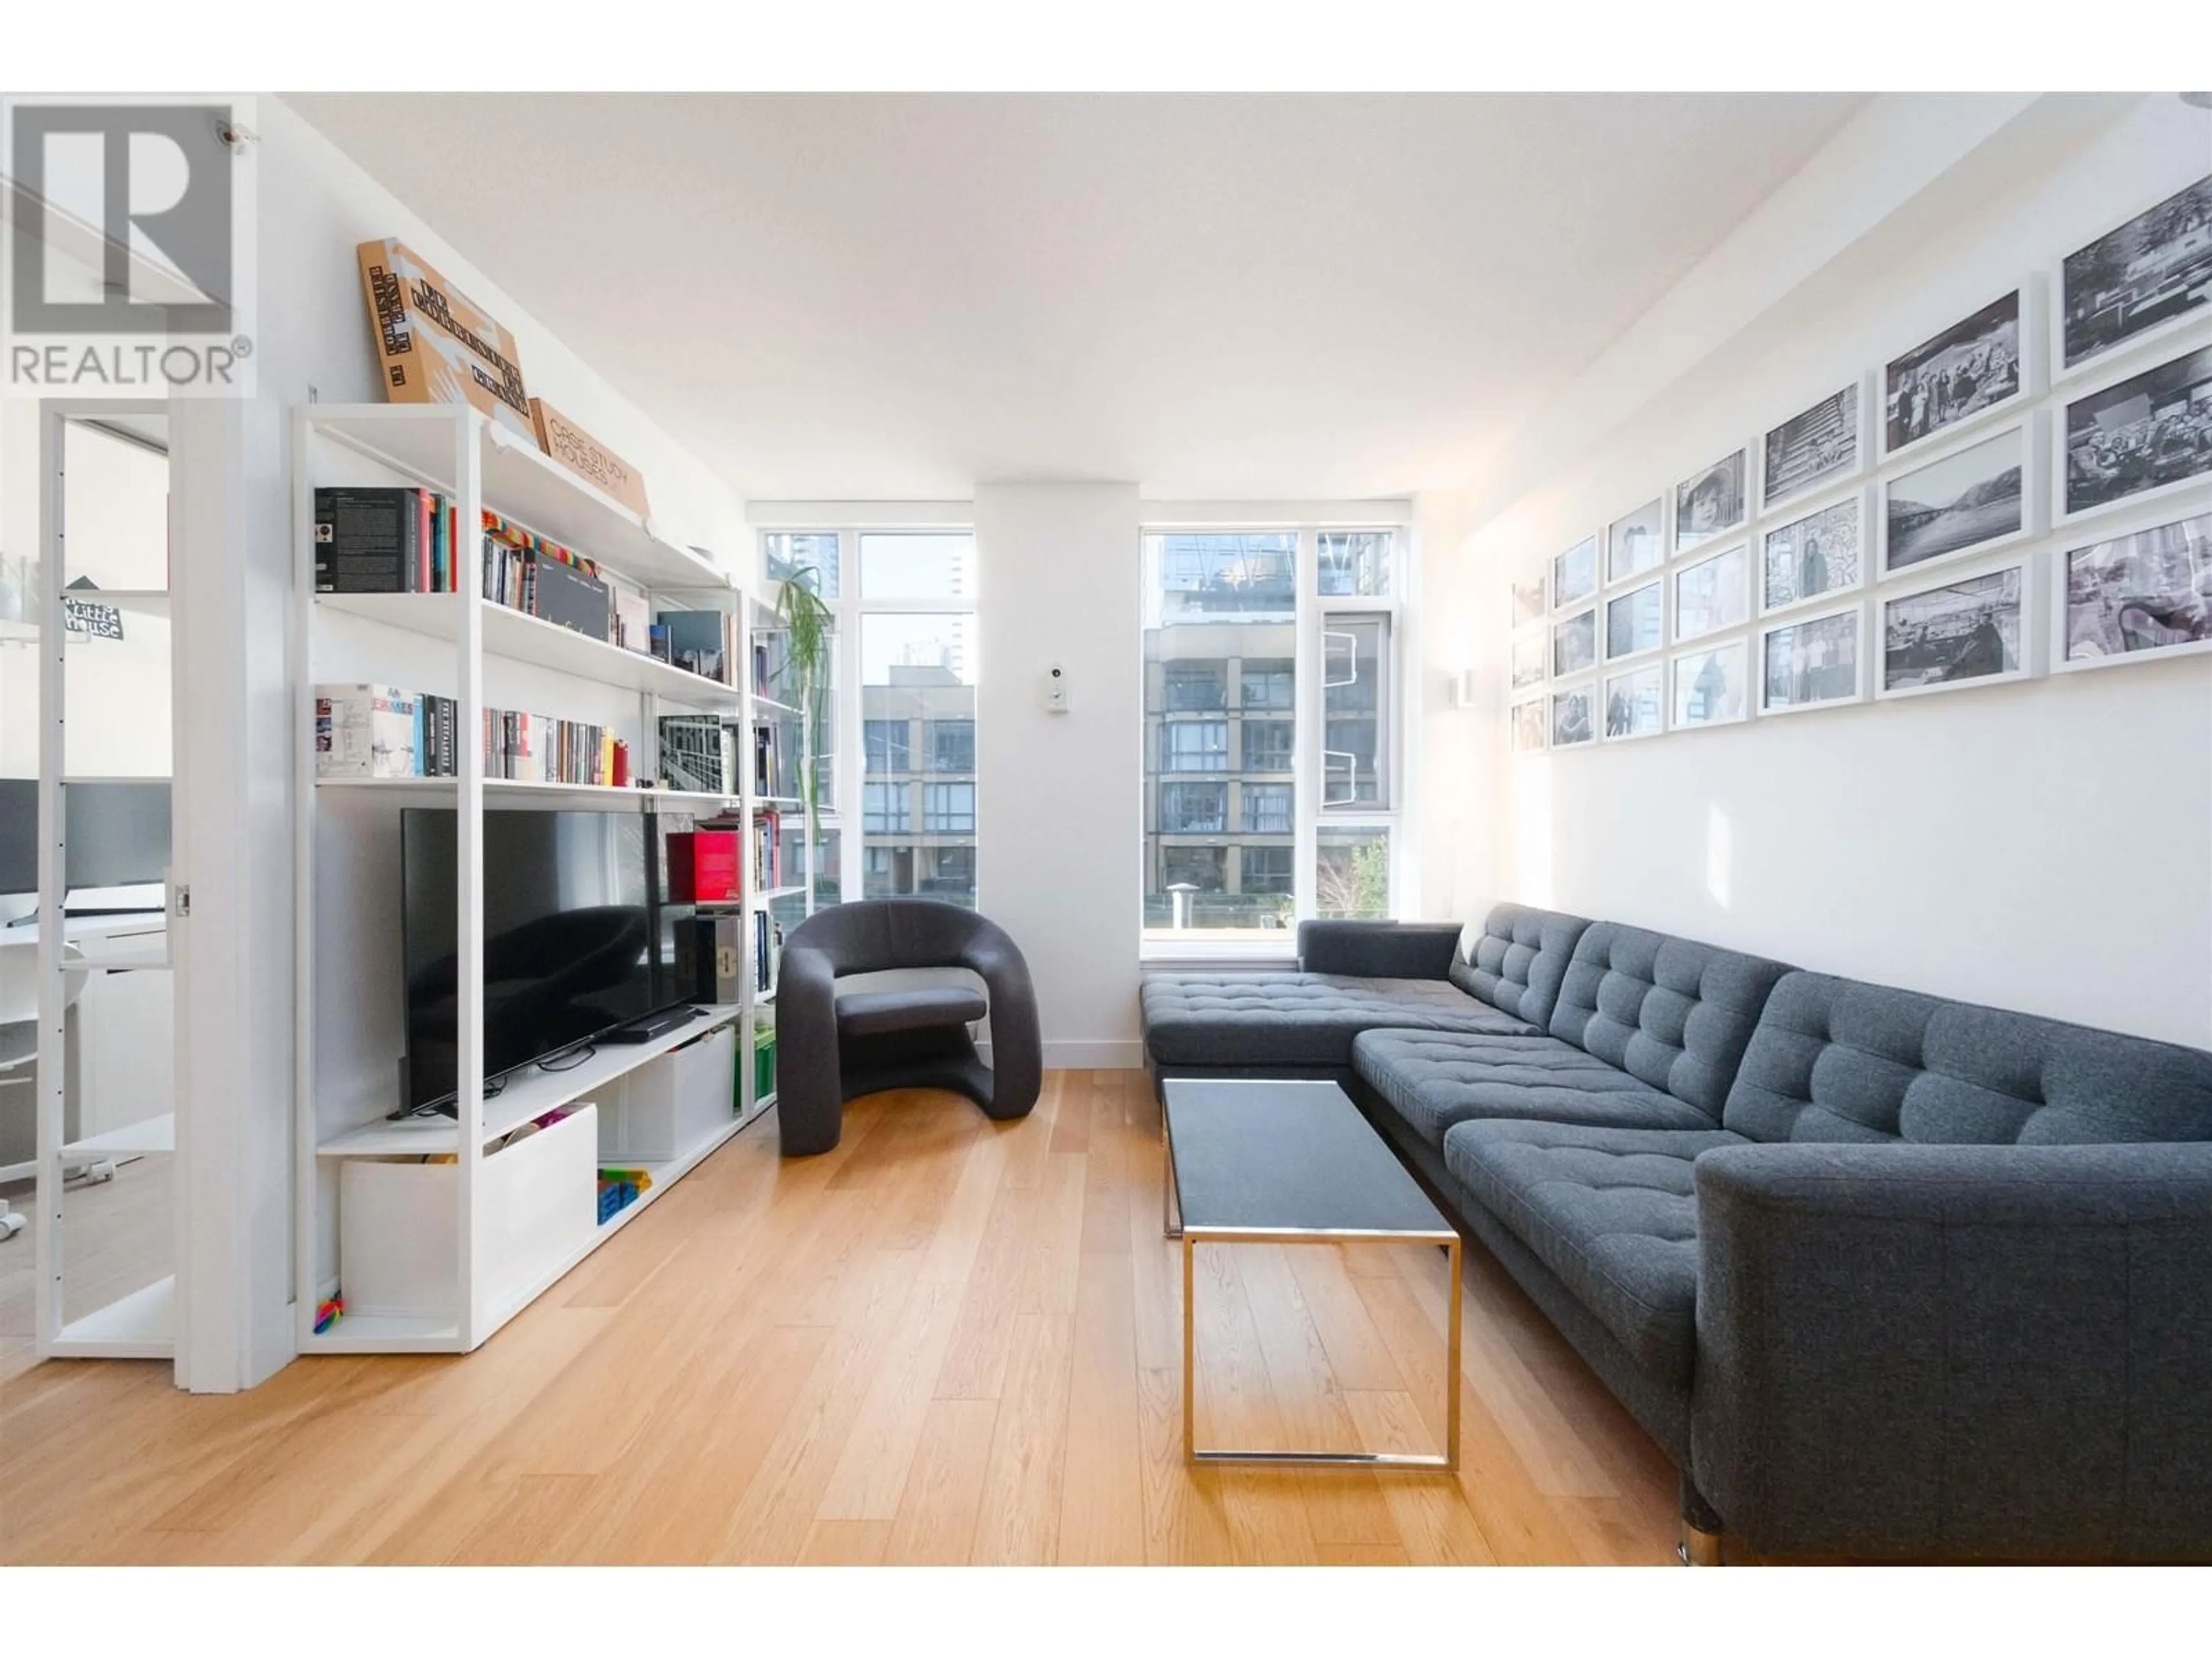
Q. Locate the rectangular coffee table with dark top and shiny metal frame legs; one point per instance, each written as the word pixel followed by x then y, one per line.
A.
pixel 1295 1162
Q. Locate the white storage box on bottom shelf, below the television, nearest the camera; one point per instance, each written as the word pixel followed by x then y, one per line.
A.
pixel 397 1222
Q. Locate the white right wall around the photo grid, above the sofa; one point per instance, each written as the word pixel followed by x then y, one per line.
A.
pixel 2043 846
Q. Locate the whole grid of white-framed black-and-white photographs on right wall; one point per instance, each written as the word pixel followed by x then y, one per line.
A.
pixel 1782 576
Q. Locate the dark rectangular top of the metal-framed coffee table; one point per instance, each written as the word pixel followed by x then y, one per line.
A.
pixel 1277 1156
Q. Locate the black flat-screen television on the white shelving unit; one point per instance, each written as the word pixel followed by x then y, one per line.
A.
pixel 576 939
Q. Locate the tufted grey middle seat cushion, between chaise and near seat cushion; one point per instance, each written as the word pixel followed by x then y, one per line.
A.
pixel 1443 1078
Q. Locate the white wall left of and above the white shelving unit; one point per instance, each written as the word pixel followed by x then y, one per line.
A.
pixel 315 207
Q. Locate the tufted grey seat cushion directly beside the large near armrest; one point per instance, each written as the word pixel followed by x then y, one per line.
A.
pixel 1611 1213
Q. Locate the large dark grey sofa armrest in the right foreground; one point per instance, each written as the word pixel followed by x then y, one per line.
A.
pixel 1957 1350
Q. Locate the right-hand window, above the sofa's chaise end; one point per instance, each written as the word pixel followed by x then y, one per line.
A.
pixel 1271 711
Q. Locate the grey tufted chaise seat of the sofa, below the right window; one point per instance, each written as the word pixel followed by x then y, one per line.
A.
pixel 1297 1019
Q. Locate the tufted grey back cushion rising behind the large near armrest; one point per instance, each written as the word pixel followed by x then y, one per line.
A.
pixel 1839 1061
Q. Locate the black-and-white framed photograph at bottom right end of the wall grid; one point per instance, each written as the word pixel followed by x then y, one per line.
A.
pixel 2140 594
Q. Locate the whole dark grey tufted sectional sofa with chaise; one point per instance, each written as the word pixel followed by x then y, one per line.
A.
pixel 1886 1275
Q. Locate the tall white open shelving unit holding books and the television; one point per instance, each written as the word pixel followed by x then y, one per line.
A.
pixel 348 831
